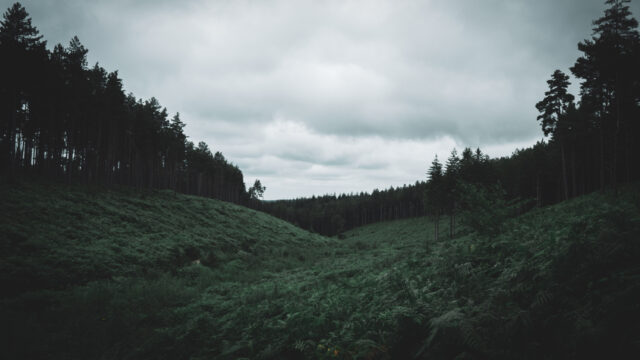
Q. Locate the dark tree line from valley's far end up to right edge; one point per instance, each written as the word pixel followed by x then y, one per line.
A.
pixel 588 145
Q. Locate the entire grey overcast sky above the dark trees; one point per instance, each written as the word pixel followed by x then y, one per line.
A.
pixel 316 97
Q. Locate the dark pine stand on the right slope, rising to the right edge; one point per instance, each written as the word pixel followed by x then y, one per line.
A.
pixel 592 144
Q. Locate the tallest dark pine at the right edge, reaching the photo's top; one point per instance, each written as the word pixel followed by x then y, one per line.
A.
pixel 608 67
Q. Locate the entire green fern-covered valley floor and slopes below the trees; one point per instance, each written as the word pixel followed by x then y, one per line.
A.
pixel 116 266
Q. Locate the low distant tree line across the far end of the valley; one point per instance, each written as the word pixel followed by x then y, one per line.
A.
pixel 331 214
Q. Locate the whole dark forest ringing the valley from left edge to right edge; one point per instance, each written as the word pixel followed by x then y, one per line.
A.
pixel 60 119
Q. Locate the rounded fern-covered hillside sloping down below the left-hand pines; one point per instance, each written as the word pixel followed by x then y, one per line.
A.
pixel 60 236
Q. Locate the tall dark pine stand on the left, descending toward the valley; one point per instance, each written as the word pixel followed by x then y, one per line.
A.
pixel 61 119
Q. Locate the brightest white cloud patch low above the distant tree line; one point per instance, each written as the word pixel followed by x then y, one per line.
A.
pixel 302 162
